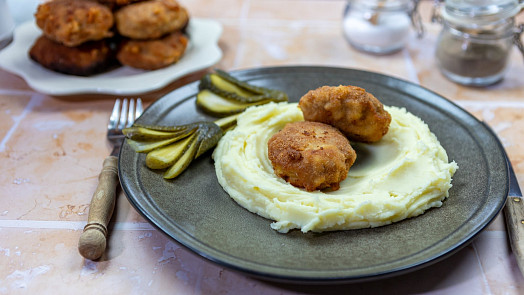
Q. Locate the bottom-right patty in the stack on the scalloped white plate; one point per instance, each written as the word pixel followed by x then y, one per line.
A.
pixel 153 54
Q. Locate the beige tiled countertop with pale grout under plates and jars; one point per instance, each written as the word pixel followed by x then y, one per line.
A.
pixel 52 148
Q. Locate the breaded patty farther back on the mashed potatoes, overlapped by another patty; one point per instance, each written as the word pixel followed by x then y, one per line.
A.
pixel 355 112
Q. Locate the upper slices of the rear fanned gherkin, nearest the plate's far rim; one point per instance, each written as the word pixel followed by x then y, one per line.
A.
pixel 231 88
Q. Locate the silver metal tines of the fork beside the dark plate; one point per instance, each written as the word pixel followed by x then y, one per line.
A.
pixel 124 113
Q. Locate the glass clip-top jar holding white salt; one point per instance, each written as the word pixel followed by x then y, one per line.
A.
pixel 380 26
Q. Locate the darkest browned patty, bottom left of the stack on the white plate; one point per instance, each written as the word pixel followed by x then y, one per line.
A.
pixel 84 60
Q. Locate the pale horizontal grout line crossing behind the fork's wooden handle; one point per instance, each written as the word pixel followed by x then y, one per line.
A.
pixel 70 225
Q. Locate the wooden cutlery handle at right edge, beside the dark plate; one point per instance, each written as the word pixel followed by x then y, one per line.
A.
pixel 514 213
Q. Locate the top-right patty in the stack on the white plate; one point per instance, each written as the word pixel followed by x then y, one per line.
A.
pixel 150 19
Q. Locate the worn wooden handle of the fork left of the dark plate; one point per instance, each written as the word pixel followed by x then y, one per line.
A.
pixel 92 243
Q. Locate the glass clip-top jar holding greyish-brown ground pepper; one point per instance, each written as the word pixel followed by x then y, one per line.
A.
pixel 475 43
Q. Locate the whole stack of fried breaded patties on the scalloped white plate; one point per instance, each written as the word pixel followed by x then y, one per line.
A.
pixel 87 37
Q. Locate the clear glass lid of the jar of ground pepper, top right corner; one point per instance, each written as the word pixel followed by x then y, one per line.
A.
pixel 480 11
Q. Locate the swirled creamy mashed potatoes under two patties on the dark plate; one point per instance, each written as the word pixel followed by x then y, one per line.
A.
pixel 400 176
